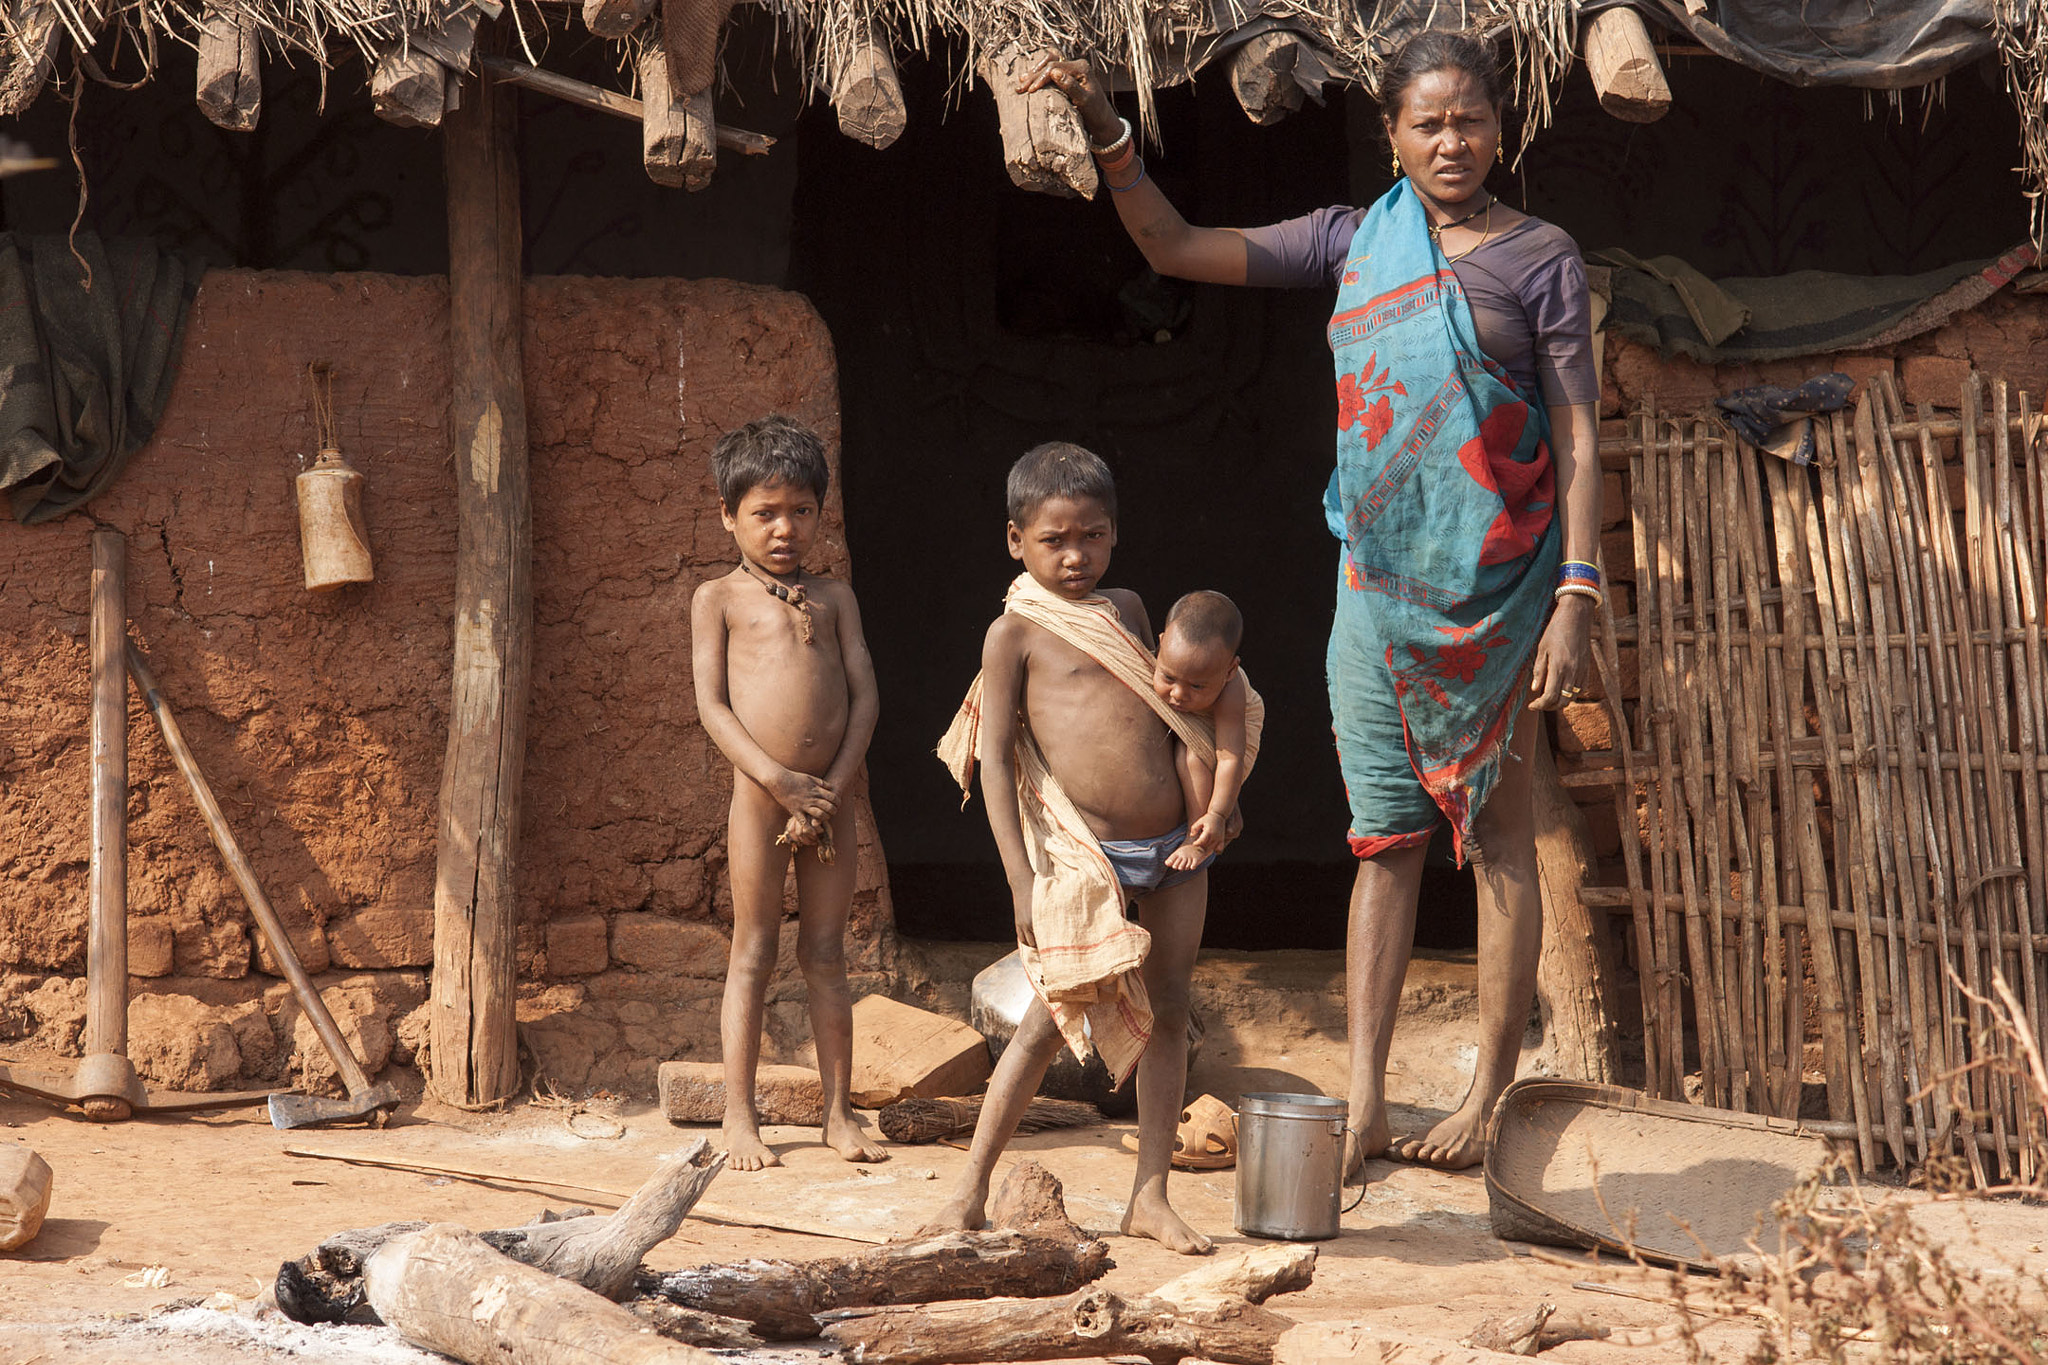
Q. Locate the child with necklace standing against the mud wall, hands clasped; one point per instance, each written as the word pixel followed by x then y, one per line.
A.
pixel 787 691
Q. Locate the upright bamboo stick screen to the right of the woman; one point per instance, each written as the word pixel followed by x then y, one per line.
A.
pixel 1836 764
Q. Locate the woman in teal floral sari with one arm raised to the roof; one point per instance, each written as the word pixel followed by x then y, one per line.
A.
pixel 1467 504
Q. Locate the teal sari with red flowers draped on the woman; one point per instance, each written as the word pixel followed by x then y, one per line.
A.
pixel 1445 500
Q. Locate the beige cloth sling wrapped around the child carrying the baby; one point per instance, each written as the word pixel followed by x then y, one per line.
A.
pixel 1086 965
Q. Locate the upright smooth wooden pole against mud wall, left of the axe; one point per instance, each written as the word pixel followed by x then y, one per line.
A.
pixel 108 908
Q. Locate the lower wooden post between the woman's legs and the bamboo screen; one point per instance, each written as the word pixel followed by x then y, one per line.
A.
pixel 1576 975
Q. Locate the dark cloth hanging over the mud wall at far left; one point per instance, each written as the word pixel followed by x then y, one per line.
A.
pixel 85 373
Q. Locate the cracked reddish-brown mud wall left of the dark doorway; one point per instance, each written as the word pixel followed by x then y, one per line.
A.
pixel 321 717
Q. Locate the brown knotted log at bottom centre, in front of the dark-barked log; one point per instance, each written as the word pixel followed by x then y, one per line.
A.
pixel 1093 1323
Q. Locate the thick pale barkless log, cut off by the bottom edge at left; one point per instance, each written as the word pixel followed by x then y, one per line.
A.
pixel 447 1292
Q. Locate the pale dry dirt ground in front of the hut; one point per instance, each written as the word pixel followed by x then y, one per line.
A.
pixel 220 1202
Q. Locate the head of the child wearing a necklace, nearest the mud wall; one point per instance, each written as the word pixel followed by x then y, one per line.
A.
pixel 773 480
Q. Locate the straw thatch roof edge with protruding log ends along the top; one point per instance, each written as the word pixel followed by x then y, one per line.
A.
pixel 413 48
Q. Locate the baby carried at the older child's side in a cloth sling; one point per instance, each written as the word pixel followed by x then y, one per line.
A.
pixel 1197 674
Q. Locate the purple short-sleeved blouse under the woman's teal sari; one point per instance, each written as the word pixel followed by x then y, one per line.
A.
pixel 1527 290
